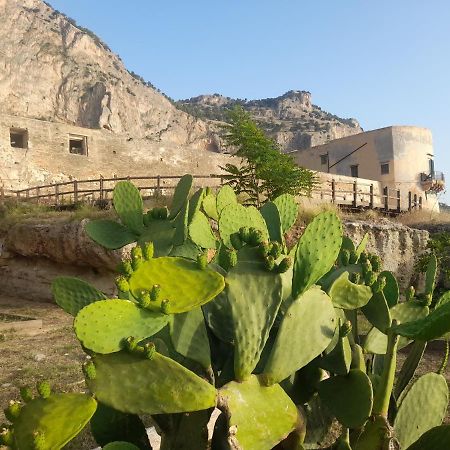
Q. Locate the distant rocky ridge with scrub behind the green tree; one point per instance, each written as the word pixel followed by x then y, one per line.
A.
pixel 291 119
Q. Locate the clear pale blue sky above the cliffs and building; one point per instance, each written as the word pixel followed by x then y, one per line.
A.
pixel 383 62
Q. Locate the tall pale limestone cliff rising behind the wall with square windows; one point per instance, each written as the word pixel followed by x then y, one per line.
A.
pixel 53 70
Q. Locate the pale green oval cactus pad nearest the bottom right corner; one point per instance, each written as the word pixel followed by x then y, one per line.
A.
pixel 423 407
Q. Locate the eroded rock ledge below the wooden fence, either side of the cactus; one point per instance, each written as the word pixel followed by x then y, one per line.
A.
pixel 32 255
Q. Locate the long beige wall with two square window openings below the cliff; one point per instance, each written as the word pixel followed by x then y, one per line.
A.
pixel 56 152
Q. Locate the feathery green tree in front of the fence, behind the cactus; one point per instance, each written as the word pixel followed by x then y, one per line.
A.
pixel 265 172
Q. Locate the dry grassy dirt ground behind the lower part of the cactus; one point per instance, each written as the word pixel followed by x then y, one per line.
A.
pixel 54 354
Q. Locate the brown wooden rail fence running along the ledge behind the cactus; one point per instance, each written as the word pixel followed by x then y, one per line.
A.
pixel 350 194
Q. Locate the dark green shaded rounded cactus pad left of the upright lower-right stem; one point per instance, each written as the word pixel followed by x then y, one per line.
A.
pixel 348 397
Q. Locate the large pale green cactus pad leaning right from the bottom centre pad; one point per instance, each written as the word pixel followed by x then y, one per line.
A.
pixel 305 332
